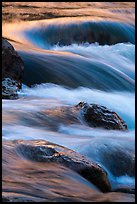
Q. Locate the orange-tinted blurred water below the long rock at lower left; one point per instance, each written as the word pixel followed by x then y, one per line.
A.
pixel 25 180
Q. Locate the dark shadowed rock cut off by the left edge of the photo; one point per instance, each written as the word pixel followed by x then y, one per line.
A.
pixel 12 71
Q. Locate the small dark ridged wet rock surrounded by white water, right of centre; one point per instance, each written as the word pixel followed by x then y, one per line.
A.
pixel 99 116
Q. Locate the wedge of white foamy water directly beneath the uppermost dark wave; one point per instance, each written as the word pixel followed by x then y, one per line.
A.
pixel 121 56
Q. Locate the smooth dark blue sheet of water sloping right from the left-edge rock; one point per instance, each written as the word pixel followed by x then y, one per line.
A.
pixel 74 71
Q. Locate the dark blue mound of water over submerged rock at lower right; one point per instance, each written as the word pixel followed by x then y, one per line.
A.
pixel 118 160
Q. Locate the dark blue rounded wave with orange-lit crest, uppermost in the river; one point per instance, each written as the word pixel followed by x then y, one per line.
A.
pixel 45 35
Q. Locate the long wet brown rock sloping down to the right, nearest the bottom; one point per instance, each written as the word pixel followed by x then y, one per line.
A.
pixel 49 152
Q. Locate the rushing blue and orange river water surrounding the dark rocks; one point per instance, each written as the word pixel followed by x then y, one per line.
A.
pixel 72 51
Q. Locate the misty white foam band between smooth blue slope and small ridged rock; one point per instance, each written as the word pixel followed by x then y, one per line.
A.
pixel 123 103
